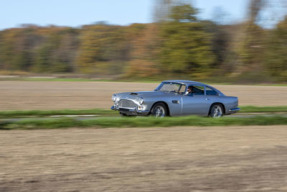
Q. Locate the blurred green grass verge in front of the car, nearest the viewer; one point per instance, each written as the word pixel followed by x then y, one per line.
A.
pixel 141 122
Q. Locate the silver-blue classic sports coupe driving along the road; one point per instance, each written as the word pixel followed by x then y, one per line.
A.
pixel 175 98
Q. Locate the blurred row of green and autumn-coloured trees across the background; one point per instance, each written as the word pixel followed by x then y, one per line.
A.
pixel 181 45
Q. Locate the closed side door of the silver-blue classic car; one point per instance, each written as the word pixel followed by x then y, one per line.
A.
pixel 196 103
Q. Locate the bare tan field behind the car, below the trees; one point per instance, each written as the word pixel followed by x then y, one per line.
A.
pixel 17 95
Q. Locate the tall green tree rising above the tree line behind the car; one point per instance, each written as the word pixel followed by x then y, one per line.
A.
pixel 186 46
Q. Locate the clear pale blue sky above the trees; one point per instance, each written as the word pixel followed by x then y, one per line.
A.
pixel 75 13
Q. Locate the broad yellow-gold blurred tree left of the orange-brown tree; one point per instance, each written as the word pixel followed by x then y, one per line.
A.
pixel 101 46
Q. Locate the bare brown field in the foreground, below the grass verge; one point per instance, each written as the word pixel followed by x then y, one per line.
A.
pixel 149 159
